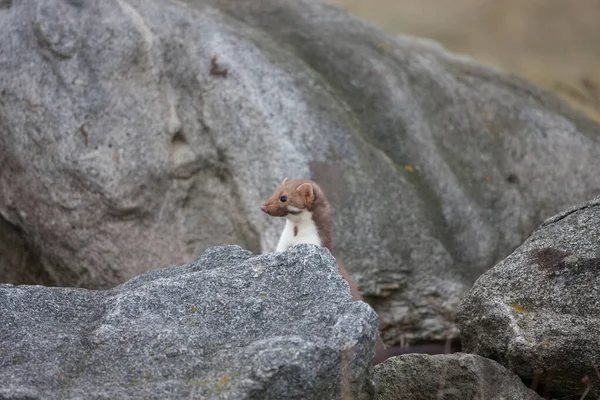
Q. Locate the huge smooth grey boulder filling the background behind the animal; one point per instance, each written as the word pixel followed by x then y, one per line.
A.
pixel 138 133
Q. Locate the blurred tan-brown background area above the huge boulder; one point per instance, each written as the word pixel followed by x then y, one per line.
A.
pixel 553 43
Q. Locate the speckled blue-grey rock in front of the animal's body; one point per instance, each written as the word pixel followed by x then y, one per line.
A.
pixel 228 326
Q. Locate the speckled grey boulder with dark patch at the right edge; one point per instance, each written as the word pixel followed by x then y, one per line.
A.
pixel 538 311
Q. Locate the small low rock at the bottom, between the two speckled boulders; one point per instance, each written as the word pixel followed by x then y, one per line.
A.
pixel 449 377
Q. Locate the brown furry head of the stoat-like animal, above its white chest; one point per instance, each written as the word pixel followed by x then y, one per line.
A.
pixel 292 197
